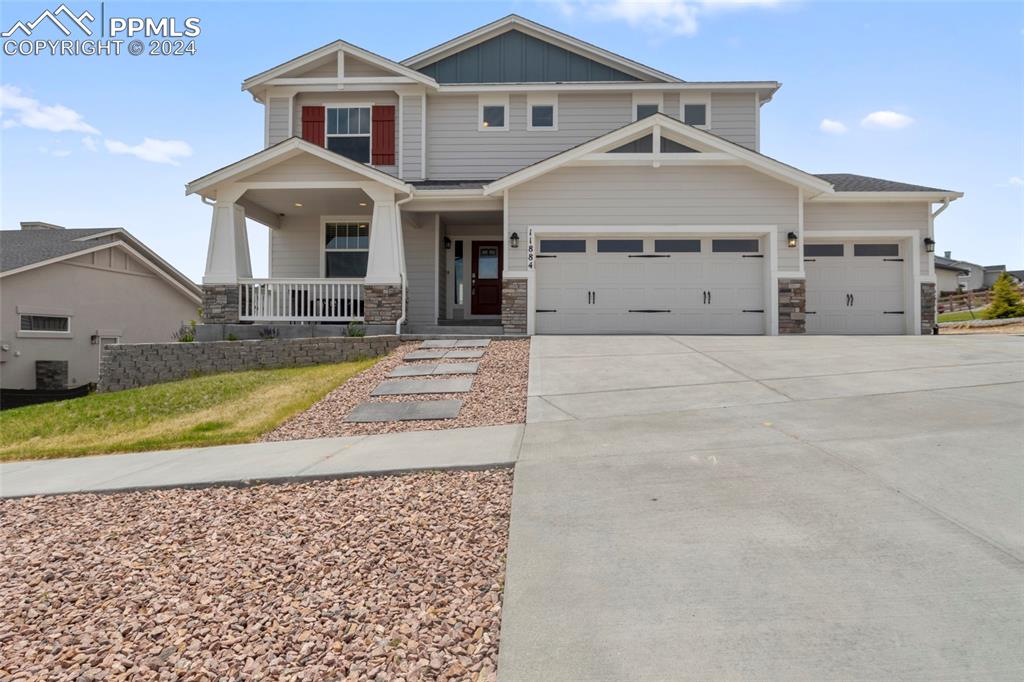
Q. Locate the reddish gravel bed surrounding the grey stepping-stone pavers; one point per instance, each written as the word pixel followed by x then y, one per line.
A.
pixel 498 397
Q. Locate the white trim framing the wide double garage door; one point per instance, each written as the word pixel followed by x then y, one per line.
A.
pixel 771 233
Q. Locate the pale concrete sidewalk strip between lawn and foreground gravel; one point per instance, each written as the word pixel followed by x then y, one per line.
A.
pixel 293 460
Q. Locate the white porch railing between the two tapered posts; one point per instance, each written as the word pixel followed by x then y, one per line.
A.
pixel 301 301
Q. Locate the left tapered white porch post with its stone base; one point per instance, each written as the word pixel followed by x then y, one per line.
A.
pixel 227 259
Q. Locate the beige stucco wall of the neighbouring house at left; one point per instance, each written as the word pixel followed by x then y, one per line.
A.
pixel 107 291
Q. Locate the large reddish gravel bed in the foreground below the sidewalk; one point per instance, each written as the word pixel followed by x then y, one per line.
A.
pixel 362 579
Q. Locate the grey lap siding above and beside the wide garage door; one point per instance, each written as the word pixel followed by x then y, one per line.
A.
pixel 648 197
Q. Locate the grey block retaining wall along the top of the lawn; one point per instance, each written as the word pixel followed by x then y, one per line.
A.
pixel 134 365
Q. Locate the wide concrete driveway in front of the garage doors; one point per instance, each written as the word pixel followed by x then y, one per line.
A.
pixel 800 508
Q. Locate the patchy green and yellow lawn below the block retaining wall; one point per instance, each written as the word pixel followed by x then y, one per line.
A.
pixel 205 411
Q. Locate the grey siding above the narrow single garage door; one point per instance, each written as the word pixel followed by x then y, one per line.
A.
pixel 891 217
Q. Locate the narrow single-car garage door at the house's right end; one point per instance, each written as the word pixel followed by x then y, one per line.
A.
pixel 856 288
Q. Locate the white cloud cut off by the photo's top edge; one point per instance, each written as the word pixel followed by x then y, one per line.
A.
pixel 677 18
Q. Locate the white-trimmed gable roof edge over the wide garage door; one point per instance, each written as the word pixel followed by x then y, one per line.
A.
pixel 689 134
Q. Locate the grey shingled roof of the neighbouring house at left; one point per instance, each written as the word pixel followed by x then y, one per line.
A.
pixel 23 250
